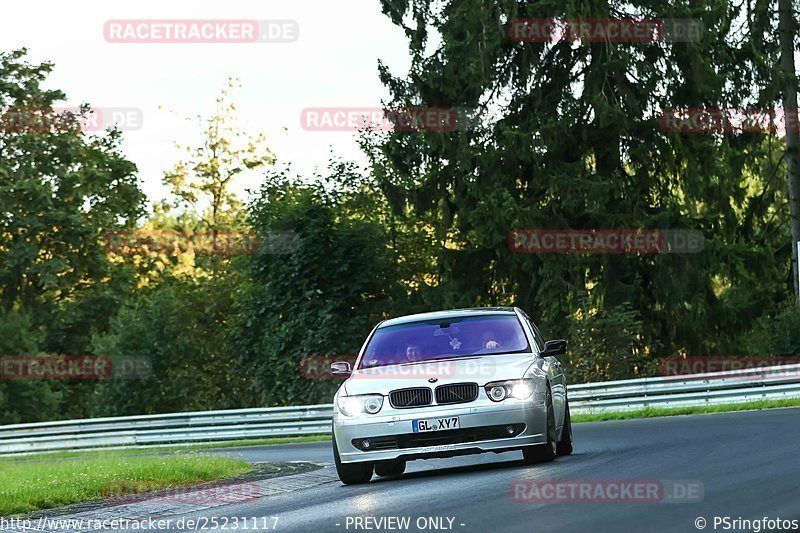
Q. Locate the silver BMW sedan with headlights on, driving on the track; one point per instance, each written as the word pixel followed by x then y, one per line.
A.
pixel 450 383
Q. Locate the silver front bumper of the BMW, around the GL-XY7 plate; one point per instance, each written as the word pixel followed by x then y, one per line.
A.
pixel 480 414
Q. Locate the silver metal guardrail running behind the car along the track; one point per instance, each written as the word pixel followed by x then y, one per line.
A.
pixel 736 386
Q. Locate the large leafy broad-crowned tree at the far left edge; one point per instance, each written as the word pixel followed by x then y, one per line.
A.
pixel 61 190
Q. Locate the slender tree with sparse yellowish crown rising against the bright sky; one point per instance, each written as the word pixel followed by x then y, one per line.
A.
pixel 180 321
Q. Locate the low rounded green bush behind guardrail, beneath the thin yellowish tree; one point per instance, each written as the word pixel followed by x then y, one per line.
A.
pixel 180 326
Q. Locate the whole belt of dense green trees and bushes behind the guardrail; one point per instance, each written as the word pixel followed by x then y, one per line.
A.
pixel 571 138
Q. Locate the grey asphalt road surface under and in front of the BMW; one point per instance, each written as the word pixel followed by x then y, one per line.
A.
pixel 737 465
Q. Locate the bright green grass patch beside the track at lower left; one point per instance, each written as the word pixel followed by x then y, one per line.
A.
pixel 41 482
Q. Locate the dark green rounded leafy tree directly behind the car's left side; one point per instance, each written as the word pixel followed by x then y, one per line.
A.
pixel 320 299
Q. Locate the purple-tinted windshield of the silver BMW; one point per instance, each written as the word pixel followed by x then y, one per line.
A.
pixel 449 337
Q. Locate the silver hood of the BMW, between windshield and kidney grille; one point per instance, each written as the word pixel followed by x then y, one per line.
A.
pixel 479 370
